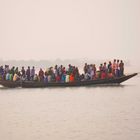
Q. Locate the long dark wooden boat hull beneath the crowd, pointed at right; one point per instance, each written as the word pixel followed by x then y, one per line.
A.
pixel 34 84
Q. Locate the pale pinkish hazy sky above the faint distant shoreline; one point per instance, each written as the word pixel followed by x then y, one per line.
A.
pixel 69 29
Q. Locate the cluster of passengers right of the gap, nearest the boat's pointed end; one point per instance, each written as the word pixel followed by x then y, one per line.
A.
pixel 110 70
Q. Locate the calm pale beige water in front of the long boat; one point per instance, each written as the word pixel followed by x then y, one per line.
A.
pixel 82 113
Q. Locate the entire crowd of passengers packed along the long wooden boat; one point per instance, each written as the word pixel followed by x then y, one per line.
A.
pixel 62 74
